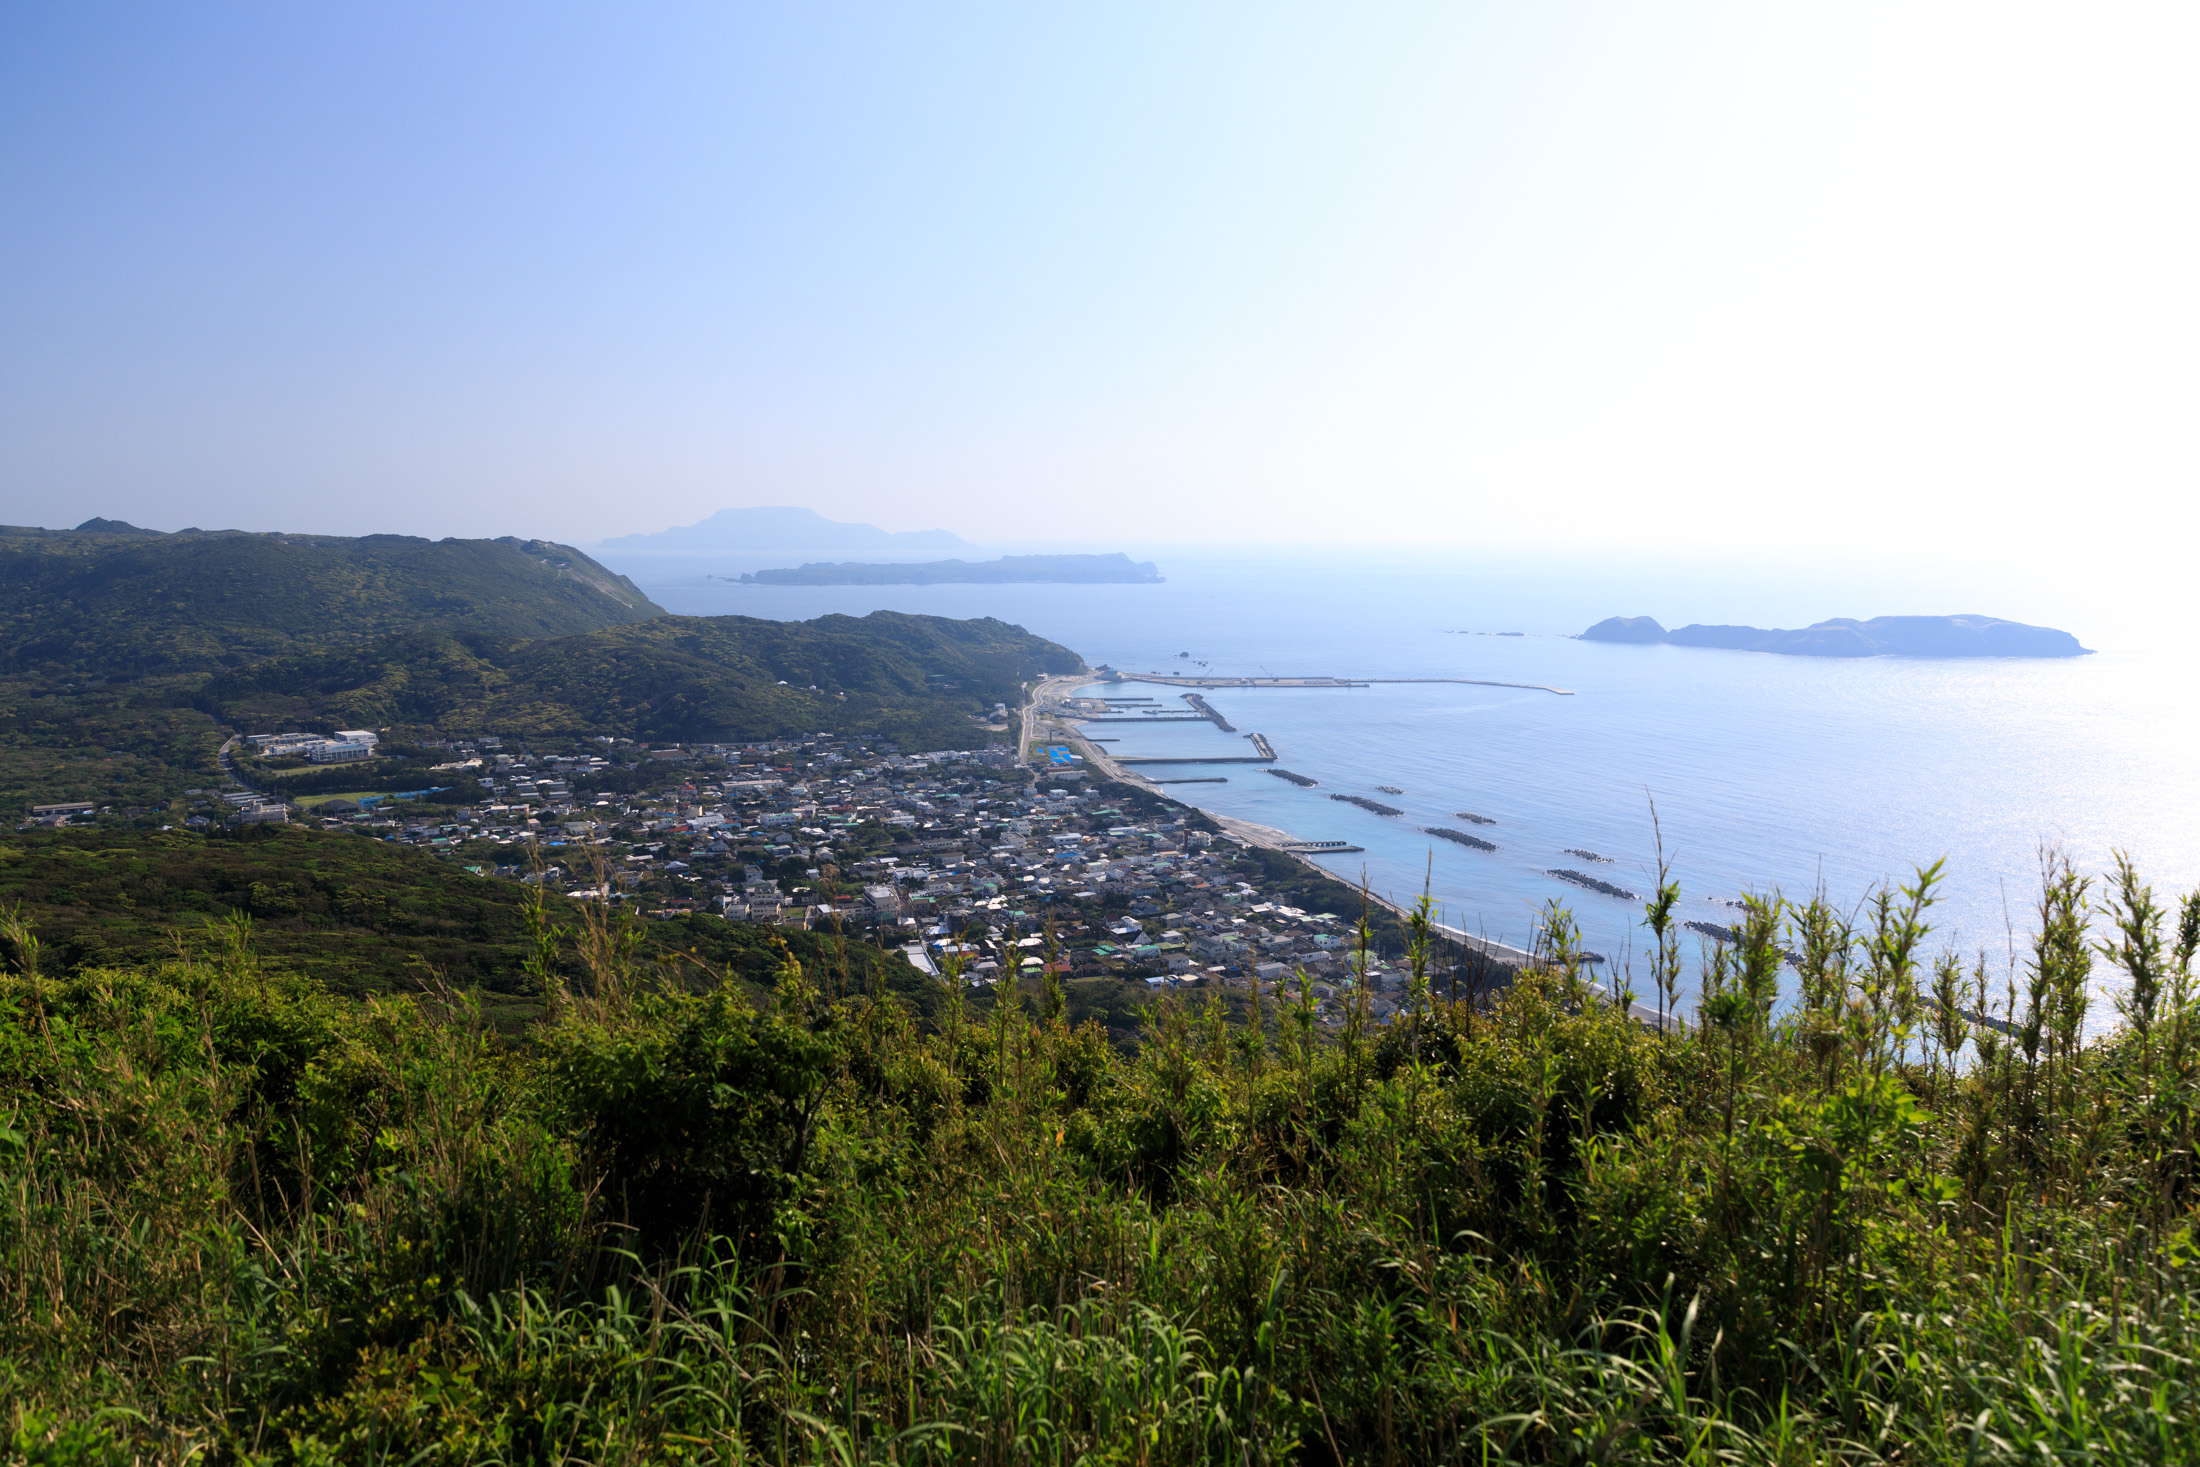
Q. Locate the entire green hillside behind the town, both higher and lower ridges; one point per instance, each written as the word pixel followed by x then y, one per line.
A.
pixel 126 654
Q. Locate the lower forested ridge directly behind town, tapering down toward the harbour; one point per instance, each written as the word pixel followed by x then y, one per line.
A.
pixel 914 679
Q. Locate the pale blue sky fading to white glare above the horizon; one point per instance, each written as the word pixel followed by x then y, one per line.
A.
pixel 1598 278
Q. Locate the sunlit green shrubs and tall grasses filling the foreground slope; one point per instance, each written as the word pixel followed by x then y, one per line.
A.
pixel 254 1222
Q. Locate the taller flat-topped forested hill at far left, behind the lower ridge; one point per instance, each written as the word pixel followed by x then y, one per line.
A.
pixel 113 602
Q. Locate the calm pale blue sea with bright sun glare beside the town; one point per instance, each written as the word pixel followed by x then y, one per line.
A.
pixel 1768 773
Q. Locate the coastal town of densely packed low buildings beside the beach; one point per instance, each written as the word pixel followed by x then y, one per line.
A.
pixel 969 863
